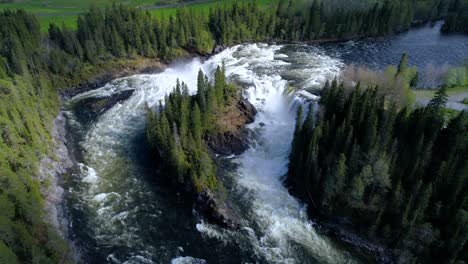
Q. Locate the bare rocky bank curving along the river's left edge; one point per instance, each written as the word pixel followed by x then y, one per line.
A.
pixel 58 162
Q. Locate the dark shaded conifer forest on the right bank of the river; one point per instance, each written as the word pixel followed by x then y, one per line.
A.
pixel 400 175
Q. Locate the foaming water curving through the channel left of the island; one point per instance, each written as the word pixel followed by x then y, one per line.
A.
pixel 112 203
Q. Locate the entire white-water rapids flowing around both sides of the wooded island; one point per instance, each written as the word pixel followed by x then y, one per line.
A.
pixel 275 229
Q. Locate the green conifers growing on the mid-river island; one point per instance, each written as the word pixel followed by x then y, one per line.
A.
pixel 175 132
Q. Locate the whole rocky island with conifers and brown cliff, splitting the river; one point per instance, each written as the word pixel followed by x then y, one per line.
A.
pixel 188 130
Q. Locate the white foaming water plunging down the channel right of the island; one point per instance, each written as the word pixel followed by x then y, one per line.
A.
pixel 283 233
